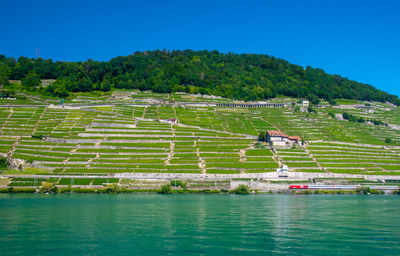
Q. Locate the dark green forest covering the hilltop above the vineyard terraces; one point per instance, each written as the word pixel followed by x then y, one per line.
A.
pixel 238 76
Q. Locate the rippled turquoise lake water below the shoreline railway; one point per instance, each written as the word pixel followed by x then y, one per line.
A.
pixel 150 224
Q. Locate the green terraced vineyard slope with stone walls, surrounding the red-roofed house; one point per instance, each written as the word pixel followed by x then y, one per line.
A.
pixel 137 138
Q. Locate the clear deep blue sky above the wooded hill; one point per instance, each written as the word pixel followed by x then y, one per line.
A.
pixel 356 39
